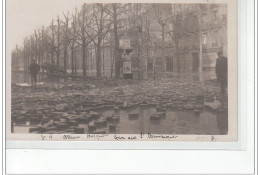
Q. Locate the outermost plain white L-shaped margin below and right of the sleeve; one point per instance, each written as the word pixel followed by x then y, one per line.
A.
pixel 160 161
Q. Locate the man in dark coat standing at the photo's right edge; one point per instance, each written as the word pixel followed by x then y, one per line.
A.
pixel 221 72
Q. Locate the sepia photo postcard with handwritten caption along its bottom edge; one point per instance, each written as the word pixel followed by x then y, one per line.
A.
pixel 121 71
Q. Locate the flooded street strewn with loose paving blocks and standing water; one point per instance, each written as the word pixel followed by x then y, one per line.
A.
pixel 169 106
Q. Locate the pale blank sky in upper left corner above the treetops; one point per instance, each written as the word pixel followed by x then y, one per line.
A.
pixel 24 16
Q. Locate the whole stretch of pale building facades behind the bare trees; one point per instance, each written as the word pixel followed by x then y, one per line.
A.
pixel 193 35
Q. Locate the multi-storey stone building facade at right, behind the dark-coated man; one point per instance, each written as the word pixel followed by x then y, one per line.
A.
pixel 201 31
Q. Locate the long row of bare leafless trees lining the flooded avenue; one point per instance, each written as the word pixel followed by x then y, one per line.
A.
pixel 96 25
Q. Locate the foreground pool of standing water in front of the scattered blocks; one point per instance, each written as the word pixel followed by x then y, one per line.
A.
pixel 174 122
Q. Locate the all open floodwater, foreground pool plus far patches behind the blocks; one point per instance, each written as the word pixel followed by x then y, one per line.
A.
pixel 174 121
